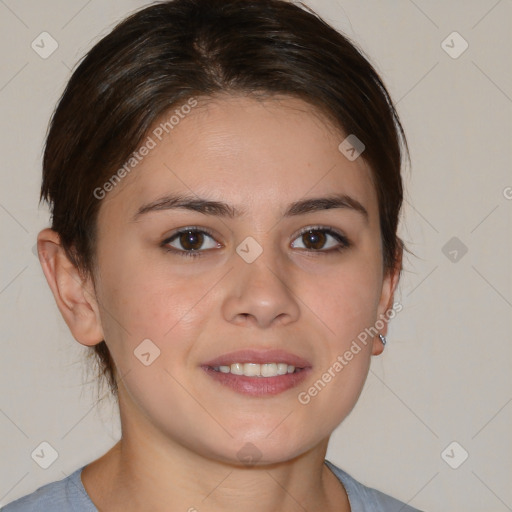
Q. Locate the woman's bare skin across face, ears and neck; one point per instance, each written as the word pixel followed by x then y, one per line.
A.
pixel 181 429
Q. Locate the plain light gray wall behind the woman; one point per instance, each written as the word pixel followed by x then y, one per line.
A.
pixel 445 374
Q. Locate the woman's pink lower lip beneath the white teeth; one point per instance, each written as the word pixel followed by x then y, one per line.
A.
pixel 258 386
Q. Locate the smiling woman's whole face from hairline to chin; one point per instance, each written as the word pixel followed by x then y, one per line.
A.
pixel 181 313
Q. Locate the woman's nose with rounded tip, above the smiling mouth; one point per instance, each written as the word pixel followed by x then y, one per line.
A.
pixel 260 293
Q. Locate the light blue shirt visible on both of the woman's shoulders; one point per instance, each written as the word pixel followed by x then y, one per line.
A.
pixel 69 495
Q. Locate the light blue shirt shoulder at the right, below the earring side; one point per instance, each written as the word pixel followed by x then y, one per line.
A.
pixel 366 499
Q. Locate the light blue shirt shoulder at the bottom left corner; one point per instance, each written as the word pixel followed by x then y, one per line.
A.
pixel 67 495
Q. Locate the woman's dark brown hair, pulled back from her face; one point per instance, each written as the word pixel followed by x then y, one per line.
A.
pixel 163 55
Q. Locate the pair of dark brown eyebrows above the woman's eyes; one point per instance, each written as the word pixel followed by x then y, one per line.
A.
pixel 221 209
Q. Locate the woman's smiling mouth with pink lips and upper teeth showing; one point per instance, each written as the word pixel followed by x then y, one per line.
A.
pixel 258 373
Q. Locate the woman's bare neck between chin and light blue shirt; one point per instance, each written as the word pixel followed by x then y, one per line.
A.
pixel 145 477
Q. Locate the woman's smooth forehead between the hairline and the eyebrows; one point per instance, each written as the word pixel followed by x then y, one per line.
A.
pixel 250 153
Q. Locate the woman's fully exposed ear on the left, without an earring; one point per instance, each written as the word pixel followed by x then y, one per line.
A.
pixel 73 293
